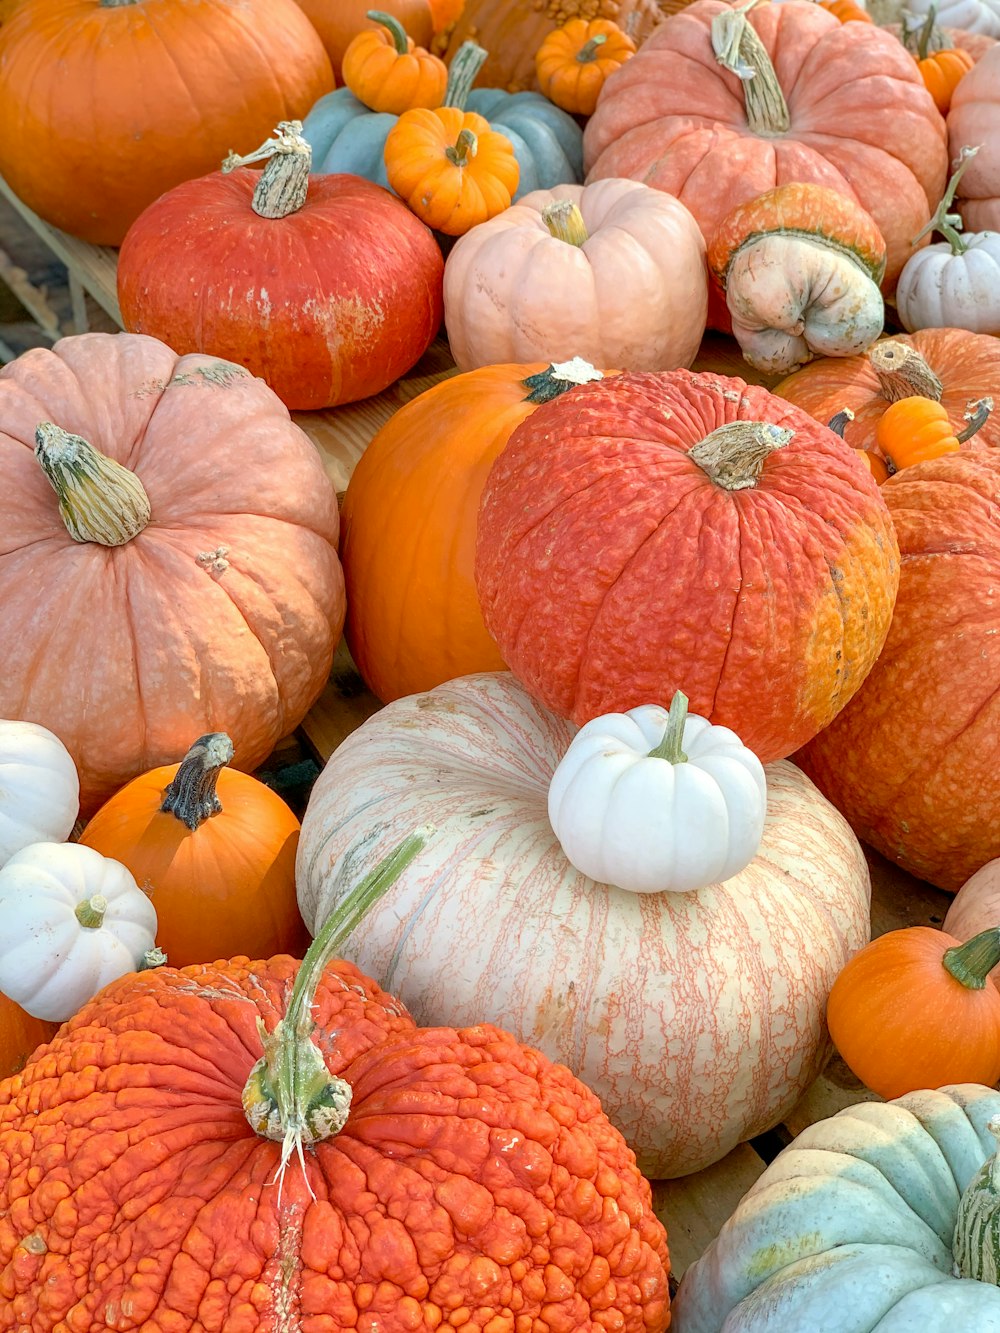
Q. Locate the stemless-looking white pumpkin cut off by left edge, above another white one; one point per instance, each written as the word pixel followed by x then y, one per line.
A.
pixel 39 788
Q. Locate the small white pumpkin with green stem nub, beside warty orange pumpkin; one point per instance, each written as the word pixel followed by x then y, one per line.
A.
pixel 71 922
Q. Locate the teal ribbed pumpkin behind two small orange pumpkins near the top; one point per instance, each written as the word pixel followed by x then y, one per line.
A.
pixel 346 137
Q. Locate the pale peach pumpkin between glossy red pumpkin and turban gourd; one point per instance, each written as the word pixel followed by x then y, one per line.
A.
pixel 611 273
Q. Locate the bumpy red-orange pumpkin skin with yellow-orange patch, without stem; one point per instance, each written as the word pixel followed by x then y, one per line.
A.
pixel 613 570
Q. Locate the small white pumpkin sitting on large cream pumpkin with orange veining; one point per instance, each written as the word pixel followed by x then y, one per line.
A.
pixel 657 802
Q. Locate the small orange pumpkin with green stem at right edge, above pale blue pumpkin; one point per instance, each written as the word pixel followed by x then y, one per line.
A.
pixel 915 1010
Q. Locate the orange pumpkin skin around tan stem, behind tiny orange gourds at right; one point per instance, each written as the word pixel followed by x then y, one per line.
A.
pixel 967 367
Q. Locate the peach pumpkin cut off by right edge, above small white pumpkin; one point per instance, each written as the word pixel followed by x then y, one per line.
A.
pixel 975 119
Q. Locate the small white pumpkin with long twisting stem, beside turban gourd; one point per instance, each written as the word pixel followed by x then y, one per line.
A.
pixel 955 283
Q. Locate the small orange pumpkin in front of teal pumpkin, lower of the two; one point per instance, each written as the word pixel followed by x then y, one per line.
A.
pixel 451 169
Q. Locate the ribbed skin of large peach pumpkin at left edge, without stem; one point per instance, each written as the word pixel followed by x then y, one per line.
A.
pixel 223 614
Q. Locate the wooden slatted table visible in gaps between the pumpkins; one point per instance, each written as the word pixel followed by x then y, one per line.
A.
pixel 695 1207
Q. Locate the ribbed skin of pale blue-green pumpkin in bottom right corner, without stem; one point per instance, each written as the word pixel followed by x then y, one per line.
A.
pixel 858 1212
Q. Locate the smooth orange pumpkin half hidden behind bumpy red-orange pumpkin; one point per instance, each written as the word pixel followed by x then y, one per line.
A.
pixel 422 479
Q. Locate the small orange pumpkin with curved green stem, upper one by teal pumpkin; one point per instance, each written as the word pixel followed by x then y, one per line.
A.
pixel 389 73
